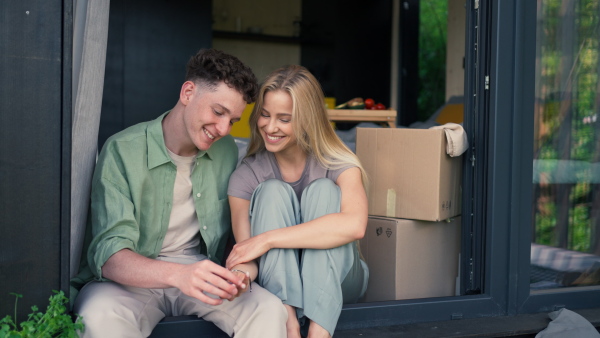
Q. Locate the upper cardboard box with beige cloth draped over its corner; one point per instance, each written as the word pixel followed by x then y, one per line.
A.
pixel 411 176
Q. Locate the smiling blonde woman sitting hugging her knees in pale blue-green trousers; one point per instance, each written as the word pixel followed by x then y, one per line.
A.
pixel 298 205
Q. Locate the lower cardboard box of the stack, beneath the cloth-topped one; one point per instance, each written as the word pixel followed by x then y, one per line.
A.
pixel 410 259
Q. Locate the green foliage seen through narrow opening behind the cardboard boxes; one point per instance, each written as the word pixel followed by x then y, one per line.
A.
pixel 433 18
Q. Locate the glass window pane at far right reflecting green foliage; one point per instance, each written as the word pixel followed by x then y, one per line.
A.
pixel 566 176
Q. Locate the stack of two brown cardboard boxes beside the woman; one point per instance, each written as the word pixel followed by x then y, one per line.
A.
pixel 412 242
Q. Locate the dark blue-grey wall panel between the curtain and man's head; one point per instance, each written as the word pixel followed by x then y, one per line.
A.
pixel 149 43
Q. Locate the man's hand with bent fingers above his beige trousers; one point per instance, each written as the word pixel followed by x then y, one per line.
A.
pixel 206 276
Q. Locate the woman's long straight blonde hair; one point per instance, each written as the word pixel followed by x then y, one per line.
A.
pixel 311 126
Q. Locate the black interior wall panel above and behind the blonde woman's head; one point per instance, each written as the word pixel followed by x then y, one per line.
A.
pixel 346 44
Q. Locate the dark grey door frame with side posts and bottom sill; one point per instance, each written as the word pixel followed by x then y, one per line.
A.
pixel 500 122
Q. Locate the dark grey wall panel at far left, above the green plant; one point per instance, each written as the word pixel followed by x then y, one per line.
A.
pixel 30 151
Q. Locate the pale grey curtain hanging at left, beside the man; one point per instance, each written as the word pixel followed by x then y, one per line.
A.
pixel 90 34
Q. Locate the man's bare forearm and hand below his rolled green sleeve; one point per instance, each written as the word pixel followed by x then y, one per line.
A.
pixel 129 268
